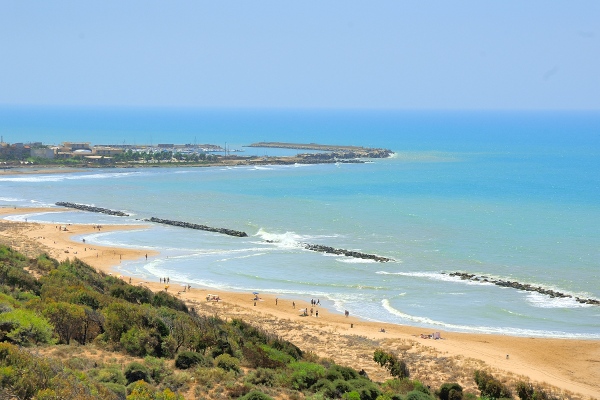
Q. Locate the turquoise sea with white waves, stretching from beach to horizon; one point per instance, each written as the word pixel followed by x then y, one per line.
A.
pixel 509 195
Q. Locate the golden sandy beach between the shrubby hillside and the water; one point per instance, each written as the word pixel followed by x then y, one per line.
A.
pixel 571 365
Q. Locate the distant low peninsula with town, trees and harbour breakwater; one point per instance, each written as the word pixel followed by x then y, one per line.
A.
pixel 86 154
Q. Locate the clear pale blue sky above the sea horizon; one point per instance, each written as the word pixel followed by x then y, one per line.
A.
pixel 509 54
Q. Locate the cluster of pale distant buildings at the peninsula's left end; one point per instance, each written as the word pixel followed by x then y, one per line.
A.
pixel 64 151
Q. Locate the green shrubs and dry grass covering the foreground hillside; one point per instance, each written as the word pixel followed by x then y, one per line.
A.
pixel 69 332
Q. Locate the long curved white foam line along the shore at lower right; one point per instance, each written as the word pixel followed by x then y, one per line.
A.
pixel 483 329
